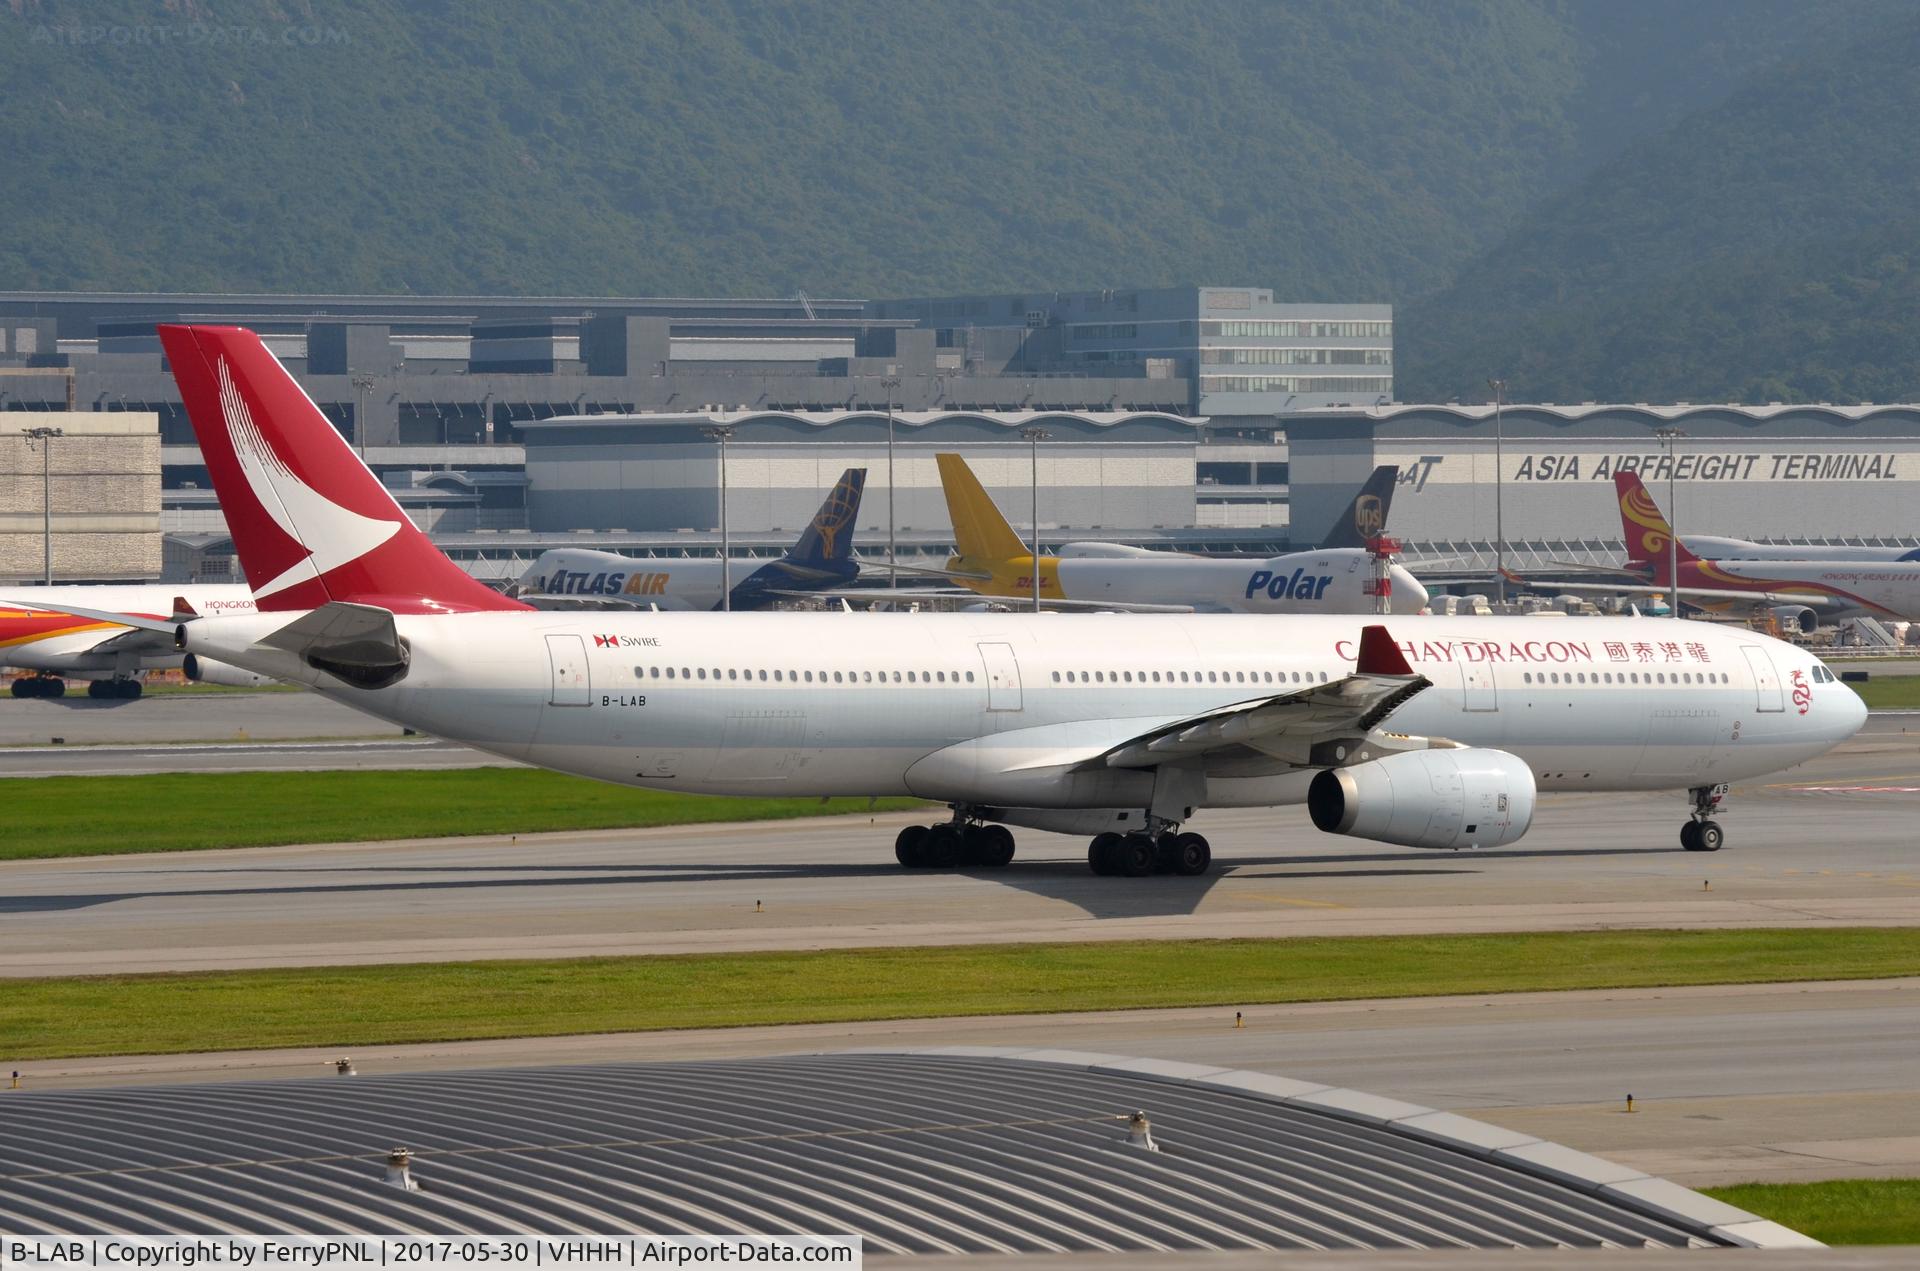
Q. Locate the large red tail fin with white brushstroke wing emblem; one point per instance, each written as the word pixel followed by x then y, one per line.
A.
pixel 310 521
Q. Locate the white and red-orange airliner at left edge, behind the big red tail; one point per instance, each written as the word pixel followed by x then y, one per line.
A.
pixel 39 635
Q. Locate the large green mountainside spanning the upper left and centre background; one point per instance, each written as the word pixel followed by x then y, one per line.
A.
pixel 1356 151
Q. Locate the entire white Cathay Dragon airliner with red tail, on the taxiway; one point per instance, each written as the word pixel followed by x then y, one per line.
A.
pixel 1435 732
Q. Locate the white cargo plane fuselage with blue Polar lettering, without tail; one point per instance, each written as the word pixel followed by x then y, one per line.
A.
pixel 1303 583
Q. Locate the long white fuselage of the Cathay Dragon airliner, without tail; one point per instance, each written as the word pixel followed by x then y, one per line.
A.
pixel 988 707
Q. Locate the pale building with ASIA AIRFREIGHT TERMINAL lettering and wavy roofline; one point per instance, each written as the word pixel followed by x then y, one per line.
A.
pixel 1545 473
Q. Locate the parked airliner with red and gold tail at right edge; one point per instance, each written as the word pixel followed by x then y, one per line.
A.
pixel 1800 594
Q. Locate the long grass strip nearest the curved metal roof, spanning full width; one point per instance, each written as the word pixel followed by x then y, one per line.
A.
pixel 364 1005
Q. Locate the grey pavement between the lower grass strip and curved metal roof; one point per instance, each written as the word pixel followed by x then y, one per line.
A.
pixel 1733 1084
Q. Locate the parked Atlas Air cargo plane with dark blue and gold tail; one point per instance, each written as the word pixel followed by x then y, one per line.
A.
pixel 821 558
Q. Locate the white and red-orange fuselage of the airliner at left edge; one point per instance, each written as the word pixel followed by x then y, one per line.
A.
pixel 37 635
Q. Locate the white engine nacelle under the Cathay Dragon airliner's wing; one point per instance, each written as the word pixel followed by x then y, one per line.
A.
pixel 1460 798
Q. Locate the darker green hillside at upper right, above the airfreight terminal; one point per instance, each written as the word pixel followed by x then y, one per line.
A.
pixel 1760 251
